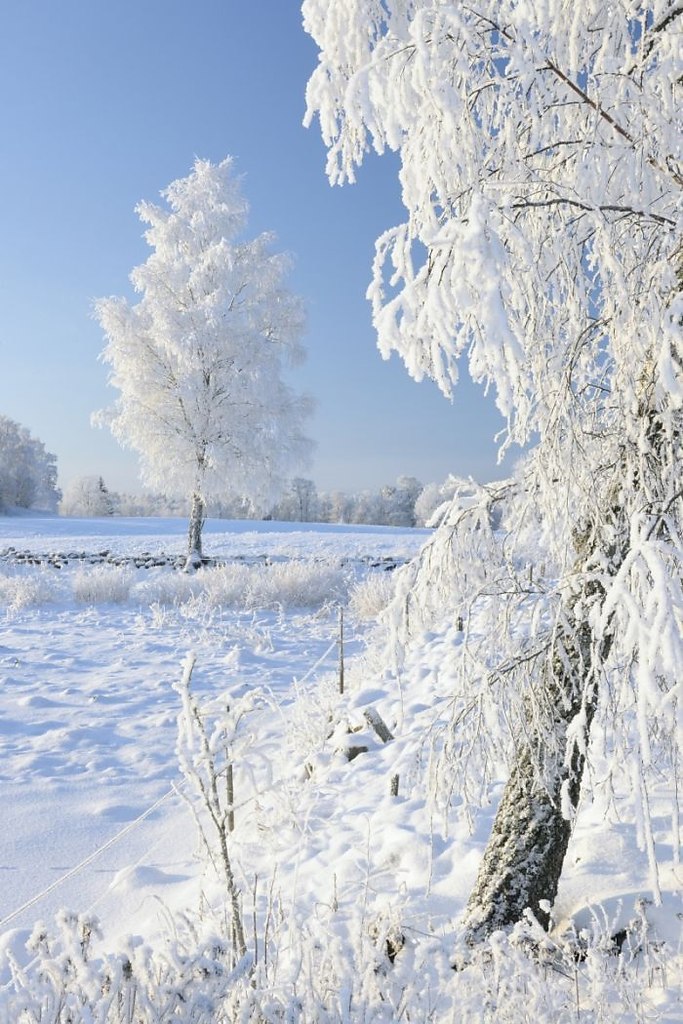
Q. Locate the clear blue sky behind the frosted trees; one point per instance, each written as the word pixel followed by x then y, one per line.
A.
pixel 104 104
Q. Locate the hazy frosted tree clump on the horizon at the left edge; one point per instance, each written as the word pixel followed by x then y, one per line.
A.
pixel 28 473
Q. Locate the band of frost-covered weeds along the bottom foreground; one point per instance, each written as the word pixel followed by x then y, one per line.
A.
pixel 336 967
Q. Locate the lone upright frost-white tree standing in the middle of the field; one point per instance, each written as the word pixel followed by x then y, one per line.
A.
pixel 199 360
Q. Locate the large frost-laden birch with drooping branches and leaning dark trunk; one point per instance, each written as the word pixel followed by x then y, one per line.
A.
pixel 539 147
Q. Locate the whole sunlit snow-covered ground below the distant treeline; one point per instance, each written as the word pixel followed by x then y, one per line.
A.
pixel 352 882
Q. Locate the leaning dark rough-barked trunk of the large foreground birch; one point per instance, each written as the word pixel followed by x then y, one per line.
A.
pixel 524 860
